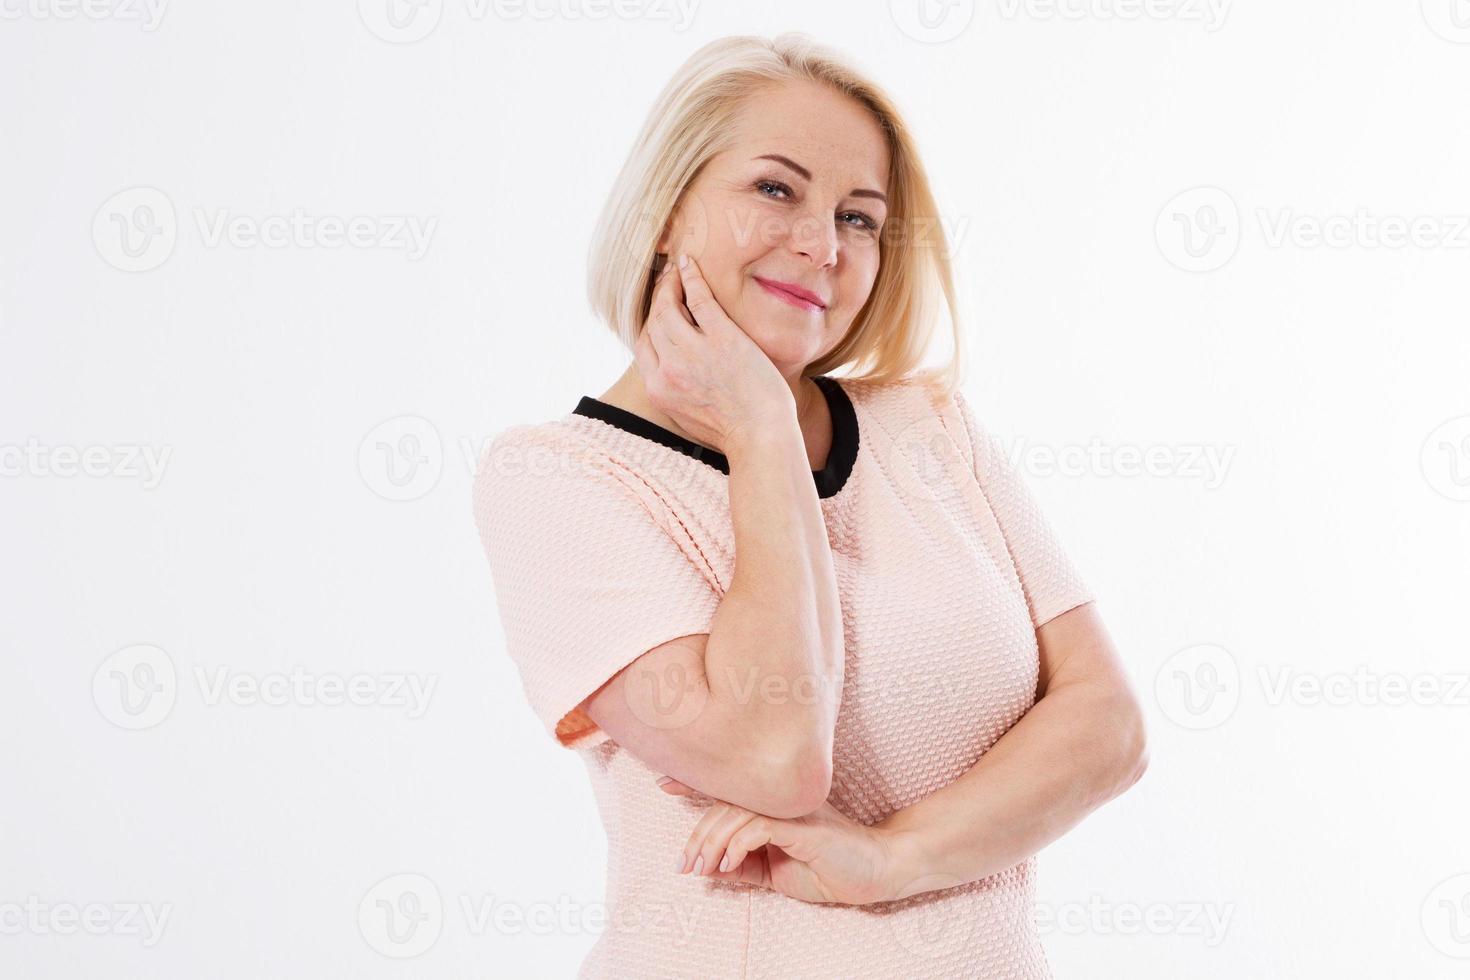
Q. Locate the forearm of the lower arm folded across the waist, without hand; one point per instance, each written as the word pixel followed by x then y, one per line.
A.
pixel 1074 752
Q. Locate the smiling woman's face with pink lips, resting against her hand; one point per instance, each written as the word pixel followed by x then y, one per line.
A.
pixel 809 220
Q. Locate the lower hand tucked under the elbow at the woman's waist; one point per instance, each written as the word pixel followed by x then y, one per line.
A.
pixel 822 857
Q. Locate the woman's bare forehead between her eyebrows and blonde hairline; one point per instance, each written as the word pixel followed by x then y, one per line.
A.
pixel 825 131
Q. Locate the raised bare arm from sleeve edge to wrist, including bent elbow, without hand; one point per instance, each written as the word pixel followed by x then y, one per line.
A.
pixel 746 712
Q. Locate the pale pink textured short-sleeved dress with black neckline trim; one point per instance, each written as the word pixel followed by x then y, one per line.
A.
pixel 609 536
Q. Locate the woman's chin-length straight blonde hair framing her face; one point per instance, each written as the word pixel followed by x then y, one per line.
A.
pixel 692 121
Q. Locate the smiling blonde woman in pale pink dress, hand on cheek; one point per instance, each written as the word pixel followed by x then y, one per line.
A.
pixel 824 612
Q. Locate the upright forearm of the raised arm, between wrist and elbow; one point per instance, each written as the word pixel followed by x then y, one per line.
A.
pixel 777 641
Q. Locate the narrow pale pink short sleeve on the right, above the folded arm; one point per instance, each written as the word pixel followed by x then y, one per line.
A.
pixel 1049 577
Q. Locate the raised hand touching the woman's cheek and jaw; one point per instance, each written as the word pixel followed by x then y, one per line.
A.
pixel 702 370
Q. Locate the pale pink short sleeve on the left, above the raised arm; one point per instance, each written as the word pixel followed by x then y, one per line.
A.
pixel 590 572
